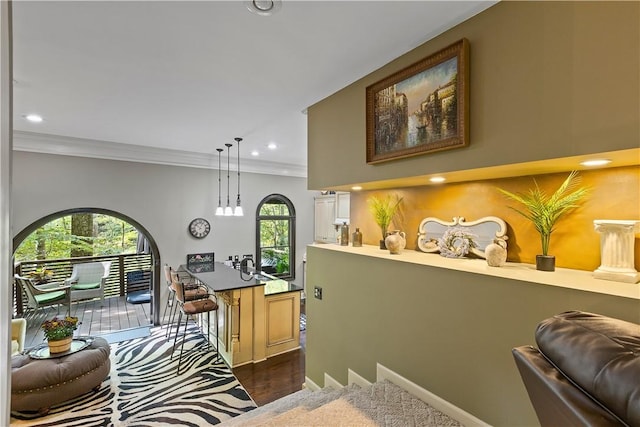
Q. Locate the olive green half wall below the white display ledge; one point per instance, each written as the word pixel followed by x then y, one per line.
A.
pixel 450 332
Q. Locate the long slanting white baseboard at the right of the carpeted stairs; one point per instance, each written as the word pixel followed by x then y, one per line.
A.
pixel 437 402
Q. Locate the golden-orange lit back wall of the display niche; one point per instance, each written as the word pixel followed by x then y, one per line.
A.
pixel 614 194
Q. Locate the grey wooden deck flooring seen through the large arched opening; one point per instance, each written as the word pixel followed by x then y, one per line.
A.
pixel 116 314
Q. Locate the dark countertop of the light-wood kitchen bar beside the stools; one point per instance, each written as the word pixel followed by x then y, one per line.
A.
pixel 224 278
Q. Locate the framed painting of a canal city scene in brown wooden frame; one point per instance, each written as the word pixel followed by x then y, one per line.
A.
pixel 422 108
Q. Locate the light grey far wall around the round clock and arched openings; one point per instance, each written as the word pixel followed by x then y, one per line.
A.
pixel 164 199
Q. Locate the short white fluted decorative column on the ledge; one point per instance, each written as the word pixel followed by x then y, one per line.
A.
pixel 616 250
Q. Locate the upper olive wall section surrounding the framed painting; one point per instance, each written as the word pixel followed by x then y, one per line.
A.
pixel 547 80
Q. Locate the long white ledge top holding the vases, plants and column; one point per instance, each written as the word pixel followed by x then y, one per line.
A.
pixel 562 277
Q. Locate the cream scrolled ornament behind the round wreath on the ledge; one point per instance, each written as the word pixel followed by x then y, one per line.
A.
pixel 485 231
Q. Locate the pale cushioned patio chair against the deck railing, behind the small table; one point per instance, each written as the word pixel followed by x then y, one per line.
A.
pixel 88 280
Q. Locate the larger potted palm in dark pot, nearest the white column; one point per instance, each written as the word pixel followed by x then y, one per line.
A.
pixel 544 211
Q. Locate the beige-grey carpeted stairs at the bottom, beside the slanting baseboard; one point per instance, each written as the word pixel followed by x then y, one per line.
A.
pixel 381 404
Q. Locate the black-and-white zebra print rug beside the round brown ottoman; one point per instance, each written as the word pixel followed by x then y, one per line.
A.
pixel 144 390
